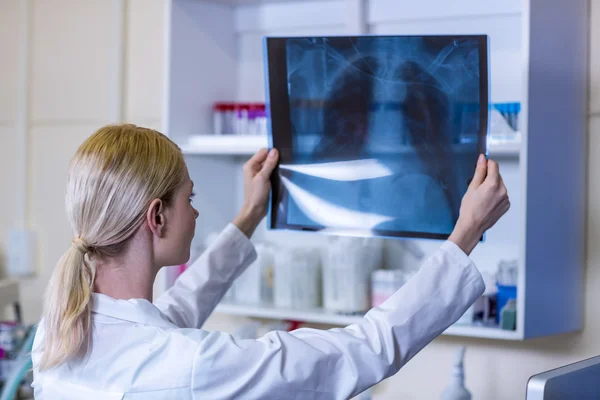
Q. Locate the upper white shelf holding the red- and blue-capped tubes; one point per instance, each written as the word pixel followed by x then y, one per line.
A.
pixel 247 145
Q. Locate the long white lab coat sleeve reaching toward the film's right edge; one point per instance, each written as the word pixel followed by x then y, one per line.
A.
pixel 340 363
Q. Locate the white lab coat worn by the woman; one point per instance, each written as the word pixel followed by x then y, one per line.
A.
pixel 156 351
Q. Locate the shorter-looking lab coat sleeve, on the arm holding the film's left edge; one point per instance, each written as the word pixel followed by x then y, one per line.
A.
pixel 195 294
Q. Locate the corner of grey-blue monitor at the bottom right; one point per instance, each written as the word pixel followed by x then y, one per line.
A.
pixel 578 381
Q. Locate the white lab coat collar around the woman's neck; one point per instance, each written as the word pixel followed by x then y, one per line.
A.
pixel 139 311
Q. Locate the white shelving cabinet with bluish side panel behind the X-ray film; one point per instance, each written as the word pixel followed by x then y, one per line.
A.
pixel 538 56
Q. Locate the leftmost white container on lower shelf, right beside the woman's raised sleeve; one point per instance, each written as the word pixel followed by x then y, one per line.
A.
pixel 255 285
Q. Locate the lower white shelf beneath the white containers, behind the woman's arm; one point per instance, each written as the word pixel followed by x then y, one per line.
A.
pixel 321 316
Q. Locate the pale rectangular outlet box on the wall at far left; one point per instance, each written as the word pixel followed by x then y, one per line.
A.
pixel 21 253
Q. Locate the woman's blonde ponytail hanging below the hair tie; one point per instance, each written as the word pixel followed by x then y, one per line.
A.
pixel 67 307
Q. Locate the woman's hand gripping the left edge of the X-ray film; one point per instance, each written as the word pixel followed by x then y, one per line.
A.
pixel 257 186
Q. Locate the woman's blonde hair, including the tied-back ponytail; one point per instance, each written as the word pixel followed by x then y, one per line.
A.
pixel 113 177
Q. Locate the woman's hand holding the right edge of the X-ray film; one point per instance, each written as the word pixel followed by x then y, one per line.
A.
pixel 482 206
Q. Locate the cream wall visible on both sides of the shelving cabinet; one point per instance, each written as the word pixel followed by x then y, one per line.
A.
pixel 73 60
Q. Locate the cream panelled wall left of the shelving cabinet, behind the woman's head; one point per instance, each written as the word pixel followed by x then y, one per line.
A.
pixel 73 71
